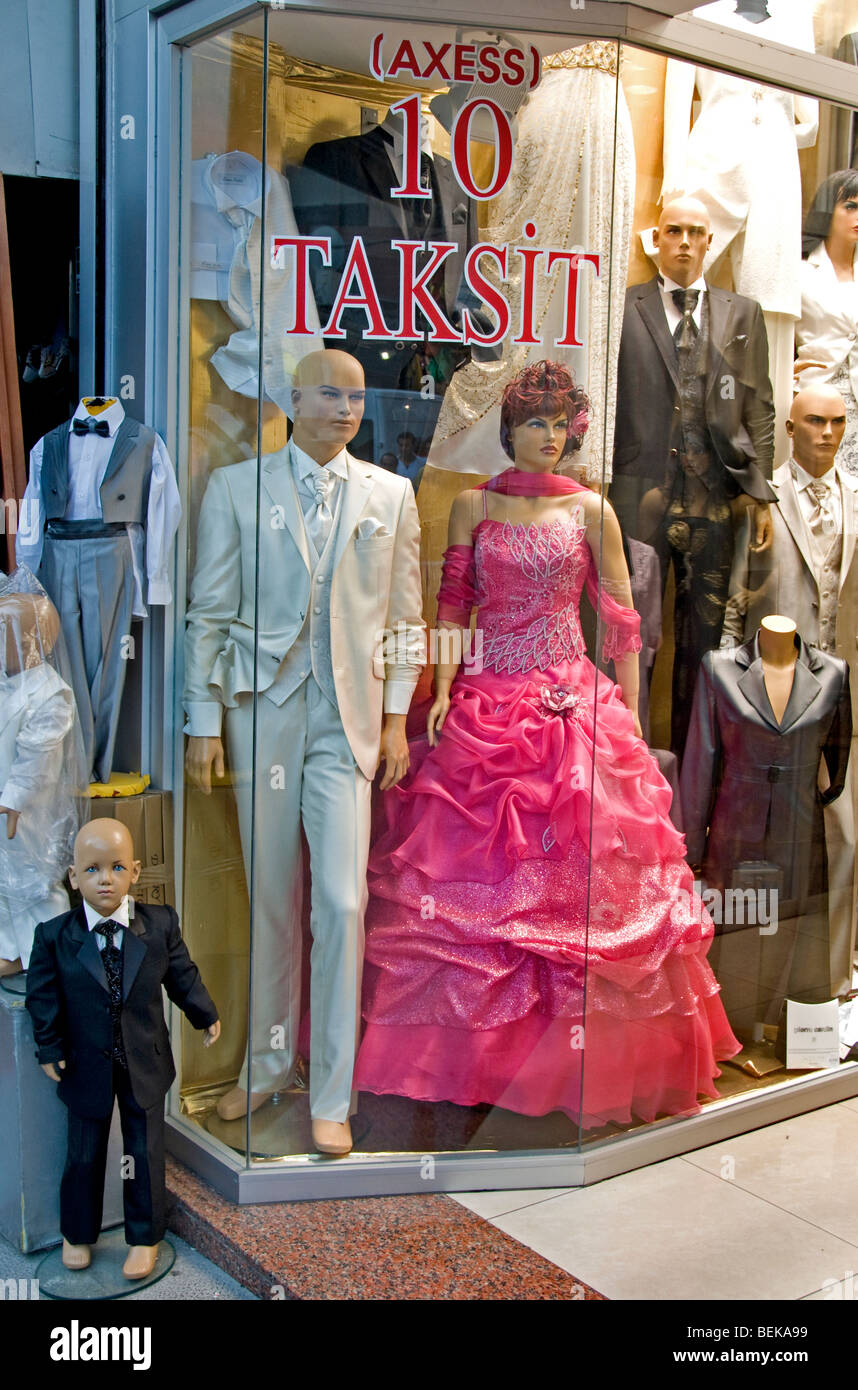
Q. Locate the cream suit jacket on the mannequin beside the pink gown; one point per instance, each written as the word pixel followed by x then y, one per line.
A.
pixel 375 583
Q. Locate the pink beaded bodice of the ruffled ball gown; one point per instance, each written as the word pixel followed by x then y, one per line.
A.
pixel 529 582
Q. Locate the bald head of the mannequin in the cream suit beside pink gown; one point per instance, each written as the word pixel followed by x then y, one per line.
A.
pixel 327 402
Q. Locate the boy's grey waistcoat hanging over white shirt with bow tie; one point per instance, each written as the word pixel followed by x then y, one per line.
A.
pixel 126 484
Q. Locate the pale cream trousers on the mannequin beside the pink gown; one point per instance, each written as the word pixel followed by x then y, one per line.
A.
pixel 305 775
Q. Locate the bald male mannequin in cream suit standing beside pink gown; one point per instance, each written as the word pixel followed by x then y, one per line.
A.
pixel 339 566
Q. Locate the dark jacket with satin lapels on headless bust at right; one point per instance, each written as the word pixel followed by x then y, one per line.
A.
pixel 750 785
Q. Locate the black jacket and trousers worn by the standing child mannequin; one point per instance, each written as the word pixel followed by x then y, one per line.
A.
pixel 69 1001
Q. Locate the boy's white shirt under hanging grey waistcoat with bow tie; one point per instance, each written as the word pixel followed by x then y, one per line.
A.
pixel 88 458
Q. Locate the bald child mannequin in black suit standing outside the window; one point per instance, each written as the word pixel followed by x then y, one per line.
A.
pixel 98 1047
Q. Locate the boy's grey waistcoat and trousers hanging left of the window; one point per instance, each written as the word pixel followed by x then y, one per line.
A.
pixel 88 571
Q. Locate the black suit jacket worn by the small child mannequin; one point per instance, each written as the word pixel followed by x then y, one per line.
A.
pixel 69 1001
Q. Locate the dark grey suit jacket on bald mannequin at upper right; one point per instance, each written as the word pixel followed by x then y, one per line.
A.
pixel 739 408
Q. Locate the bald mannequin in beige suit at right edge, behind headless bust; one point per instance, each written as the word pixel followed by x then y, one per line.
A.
pixel 811 575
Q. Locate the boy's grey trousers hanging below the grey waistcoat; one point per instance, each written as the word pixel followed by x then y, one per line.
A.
pixel 91 583
